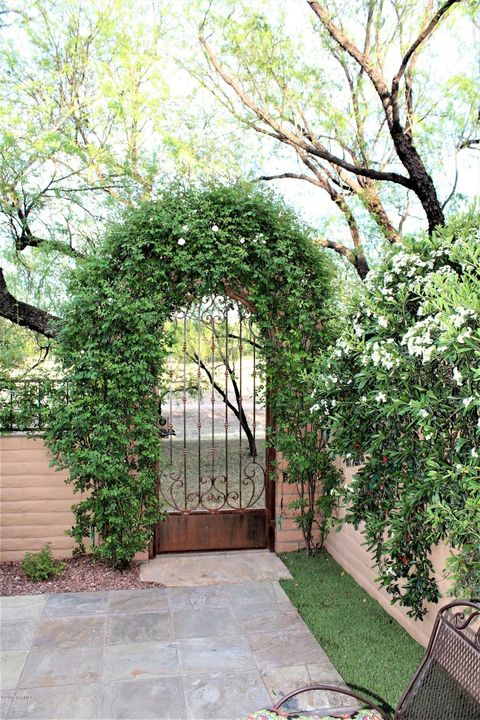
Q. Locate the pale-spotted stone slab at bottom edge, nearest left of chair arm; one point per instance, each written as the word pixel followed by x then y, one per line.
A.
pixel 221 696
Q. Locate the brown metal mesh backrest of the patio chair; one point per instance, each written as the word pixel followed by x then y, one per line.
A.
pixel 446 686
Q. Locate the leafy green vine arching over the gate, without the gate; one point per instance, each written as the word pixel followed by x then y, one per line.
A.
pixel 187 244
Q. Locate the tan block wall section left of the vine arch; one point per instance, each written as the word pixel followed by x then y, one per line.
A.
pixel 35 502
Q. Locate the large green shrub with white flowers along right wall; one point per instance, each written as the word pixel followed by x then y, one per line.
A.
pixel 401 388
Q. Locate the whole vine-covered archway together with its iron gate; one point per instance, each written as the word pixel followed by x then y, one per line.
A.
pixel 199 307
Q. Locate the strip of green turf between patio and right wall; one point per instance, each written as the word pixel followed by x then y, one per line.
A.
pixel 367 647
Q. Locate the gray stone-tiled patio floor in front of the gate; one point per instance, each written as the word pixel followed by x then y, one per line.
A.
pixel 182 653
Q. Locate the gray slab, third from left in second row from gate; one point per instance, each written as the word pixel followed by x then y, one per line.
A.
pixel 139 627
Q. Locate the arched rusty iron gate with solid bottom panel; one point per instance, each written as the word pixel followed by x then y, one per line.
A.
pixel 215 471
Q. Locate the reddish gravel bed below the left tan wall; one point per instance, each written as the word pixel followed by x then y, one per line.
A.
pixel 80 575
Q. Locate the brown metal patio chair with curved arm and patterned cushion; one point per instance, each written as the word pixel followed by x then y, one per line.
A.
pixel 446 686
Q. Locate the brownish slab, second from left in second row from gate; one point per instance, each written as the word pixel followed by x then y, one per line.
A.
pixel 65 632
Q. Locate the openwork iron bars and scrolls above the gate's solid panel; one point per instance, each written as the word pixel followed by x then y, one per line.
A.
pixel 215 456
